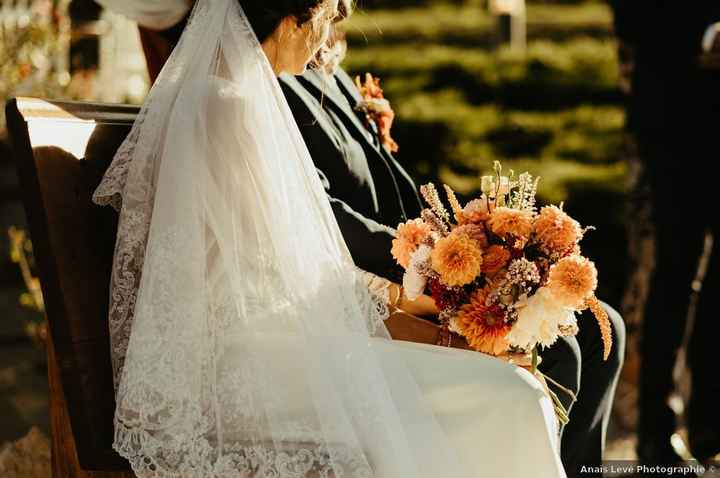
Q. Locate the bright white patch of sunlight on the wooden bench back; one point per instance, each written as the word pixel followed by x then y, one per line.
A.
pixel 71 136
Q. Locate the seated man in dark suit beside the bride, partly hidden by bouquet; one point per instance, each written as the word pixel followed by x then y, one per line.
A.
pixel 369 190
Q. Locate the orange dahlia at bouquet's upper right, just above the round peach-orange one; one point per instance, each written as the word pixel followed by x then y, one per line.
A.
pixel 556 232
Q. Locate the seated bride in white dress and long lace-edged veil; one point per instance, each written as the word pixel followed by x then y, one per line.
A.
pixel 245 342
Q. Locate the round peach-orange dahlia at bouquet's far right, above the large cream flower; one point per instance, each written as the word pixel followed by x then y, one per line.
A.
pixel 572 280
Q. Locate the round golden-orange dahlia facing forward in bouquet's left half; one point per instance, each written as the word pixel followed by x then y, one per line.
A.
pixel 457 259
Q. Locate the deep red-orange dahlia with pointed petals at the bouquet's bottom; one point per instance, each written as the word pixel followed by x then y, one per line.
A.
pixel 483 326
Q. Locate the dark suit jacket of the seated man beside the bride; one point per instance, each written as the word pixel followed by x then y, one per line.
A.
pixel 367 187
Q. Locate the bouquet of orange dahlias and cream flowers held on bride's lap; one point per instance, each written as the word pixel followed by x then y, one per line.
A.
pixel 506 276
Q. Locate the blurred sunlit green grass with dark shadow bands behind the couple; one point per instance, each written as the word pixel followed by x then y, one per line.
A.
pixel 462 103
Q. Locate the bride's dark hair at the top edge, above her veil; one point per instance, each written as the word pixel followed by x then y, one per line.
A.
pixel 265 16
